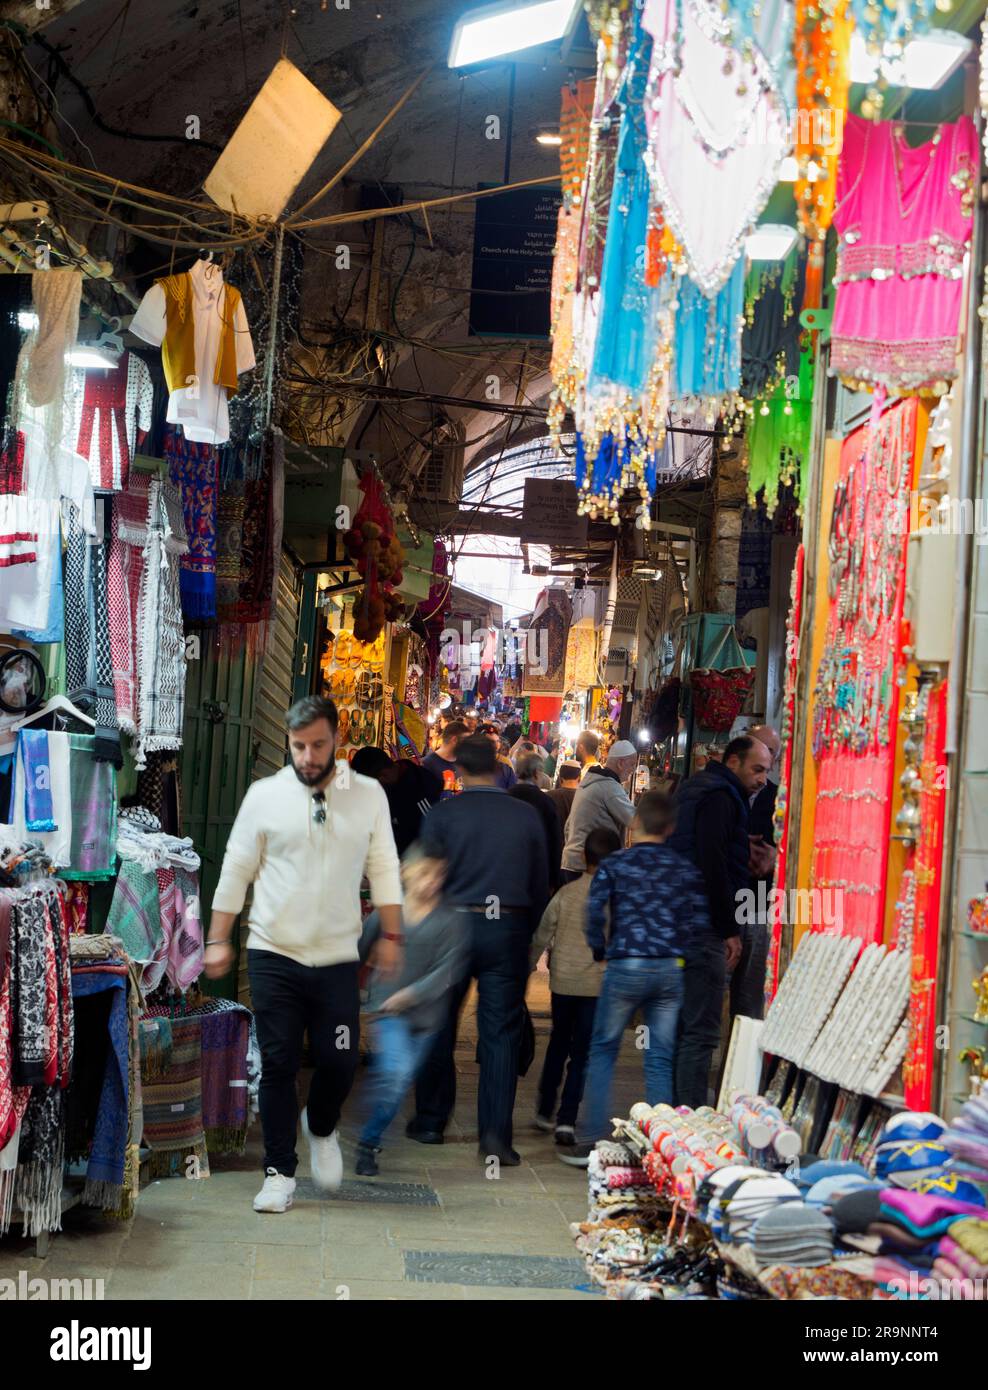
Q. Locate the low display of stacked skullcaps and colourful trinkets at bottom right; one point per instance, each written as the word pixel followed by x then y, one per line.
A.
pixel 733 1204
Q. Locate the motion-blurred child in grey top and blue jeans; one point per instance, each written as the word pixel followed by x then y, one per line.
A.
pixel 408 1010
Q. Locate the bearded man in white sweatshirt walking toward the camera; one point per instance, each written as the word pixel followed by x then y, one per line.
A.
pixel 305 839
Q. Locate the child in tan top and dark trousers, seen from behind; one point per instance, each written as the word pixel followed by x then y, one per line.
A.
pixel 575 979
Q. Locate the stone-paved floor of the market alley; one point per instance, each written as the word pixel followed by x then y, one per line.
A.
pixel 431 1227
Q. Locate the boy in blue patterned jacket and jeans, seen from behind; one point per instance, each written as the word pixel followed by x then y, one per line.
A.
pixel 654 901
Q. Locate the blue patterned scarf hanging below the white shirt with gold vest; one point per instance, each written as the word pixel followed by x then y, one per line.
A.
pixel 194 469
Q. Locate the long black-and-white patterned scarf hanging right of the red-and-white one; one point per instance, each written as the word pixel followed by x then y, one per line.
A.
pixel 162 661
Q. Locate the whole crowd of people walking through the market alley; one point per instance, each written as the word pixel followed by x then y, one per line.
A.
pixel 637 907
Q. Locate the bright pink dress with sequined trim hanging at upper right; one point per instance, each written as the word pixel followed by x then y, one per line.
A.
pixel 904 220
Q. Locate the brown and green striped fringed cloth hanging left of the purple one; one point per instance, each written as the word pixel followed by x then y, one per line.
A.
pixel 174 1107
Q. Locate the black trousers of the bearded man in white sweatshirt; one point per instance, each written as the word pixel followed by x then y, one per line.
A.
pixel 291 1000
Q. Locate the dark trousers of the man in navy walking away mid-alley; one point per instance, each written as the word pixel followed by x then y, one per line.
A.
pixel 500 964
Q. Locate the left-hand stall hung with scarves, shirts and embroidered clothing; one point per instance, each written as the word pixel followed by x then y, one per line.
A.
pixel 119 565
